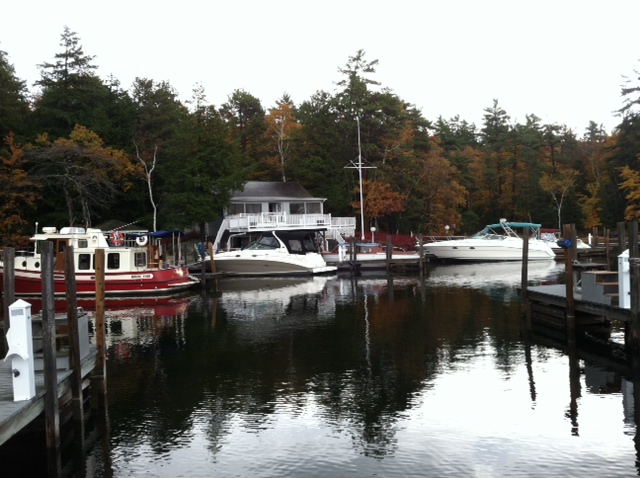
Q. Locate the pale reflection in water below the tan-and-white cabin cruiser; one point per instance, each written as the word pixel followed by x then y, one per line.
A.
pixel 261 297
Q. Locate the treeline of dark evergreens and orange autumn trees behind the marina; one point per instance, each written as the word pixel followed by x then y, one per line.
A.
pixel 80 150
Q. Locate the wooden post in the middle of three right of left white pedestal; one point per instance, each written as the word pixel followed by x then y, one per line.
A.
pixel 75 361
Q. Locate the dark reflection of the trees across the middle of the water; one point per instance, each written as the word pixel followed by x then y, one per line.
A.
pixel 361 367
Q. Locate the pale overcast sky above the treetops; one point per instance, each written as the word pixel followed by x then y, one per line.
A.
pixel 562 60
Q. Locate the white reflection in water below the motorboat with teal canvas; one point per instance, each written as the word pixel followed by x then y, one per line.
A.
pixel 484 275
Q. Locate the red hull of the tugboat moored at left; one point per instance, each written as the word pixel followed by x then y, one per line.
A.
pixel 163 281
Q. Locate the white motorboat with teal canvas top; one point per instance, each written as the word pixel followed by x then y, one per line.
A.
pixel 496 242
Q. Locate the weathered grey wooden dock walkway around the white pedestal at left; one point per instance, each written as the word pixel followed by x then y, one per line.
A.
pixel 16 415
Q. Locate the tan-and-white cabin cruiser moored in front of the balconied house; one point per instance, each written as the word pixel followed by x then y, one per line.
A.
pixel 276 252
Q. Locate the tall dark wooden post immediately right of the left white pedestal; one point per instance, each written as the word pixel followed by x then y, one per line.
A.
pixel 51 402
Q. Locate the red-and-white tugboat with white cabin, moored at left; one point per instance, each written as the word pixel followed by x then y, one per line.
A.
pixel 134 263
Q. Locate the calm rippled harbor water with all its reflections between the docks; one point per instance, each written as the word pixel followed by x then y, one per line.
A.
pixel 334 376
